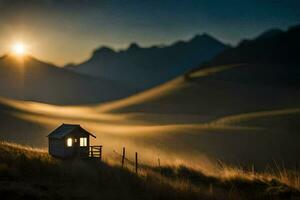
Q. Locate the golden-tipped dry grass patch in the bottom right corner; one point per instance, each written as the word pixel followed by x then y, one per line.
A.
pixel 233 183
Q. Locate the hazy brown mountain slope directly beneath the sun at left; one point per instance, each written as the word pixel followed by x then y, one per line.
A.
pixel 31 79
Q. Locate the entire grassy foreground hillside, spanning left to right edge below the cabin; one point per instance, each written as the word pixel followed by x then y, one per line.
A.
pixel 32 174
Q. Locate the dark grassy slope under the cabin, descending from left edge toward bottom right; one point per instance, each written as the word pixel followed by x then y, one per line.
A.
pixel 33 174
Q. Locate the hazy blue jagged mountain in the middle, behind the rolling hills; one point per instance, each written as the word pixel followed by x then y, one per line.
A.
pixel 146 67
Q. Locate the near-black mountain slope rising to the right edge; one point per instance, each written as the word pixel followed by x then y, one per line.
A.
pixel 271 58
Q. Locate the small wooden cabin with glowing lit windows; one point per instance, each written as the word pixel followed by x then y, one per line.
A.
pixel 69 141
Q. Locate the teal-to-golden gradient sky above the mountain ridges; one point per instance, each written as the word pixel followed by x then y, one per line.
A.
pixel 67 31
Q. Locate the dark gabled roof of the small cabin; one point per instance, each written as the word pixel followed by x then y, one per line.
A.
pixel 65 129
